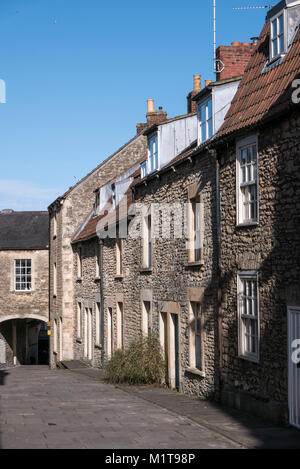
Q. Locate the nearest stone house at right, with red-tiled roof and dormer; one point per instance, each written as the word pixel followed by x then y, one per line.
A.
pixel 258 150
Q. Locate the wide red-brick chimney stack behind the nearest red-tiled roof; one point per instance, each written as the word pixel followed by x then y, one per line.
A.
pixel 233 59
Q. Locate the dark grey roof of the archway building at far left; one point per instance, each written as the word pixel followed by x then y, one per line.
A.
pixel 24 230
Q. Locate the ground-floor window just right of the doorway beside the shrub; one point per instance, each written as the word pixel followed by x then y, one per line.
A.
pixel 196 337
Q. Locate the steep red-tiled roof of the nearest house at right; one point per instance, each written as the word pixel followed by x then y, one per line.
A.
pixel 264 93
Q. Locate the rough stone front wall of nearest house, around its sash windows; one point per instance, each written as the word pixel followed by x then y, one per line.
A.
pixel 273 249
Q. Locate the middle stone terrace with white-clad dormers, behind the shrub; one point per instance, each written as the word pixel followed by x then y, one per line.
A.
pixel 155 284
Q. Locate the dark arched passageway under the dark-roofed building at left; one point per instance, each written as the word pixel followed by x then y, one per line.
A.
pixel 23 341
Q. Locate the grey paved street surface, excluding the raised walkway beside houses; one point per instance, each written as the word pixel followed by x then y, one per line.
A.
pixel 40 408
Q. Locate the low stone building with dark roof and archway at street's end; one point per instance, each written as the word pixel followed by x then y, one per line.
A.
pixel 24 280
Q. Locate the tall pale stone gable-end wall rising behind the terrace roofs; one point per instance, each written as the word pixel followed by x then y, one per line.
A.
pixel 72 210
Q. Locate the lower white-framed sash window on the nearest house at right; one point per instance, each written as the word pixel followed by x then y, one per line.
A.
pixel 248 314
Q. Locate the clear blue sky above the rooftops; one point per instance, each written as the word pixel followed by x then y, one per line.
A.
pixel 78 74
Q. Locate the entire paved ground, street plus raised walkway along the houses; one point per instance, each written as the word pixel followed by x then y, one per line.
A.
pixel 42 408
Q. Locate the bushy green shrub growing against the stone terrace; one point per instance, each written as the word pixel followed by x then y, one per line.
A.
pixel 141 363
